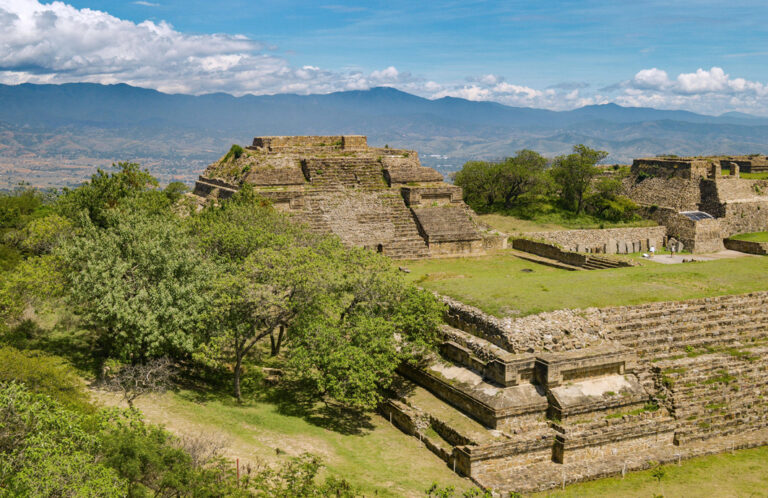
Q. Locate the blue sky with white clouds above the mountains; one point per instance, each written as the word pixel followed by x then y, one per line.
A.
pixel 704 56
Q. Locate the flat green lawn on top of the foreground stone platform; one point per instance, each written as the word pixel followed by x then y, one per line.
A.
pixel 497 284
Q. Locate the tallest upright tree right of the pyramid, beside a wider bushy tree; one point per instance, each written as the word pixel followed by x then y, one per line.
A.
pixel 573 173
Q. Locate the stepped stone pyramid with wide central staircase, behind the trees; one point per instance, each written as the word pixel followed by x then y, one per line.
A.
pixel 373 197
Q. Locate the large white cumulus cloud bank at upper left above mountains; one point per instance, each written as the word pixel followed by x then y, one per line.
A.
pixel 57 43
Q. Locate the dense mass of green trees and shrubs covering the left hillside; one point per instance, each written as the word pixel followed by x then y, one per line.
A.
pixel 142 294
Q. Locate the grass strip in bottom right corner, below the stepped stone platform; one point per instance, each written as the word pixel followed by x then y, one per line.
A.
pixel 744 473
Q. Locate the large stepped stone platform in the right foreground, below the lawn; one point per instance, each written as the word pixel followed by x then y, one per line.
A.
pixel 533 403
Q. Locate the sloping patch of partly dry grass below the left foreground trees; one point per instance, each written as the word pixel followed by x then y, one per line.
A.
pixel 378 458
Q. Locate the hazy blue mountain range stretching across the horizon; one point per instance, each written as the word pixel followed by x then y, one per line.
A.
pixel 57 135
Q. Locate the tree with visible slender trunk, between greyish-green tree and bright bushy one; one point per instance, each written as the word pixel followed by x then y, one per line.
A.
pixel 265 271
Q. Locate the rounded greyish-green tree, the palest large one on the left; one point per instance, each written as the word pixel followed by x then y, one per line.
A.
pixel 139 285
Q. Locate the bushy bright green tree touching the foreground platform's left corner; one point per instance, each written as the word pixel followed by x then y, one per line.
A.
pixel 367 320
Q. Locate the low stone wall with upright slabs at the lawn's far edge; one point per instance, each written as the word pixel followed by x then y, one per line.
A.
pixel 608 241
